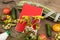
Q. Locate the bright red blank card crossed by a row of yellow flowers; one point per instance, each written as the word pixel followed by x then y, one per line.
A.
pixel 28 10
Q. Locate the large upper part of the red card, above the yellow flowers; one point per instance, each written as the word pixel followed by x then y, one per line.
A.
pixel 29 10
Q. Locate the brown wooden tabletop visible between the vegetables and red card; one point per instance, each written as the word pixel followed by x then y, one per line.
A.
pixel 53 4
